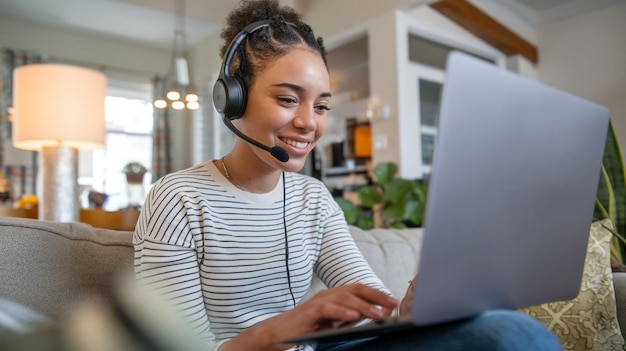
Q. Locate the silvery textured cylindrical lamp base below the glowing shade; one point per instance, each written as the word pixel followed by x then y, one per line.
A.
pixel 58 185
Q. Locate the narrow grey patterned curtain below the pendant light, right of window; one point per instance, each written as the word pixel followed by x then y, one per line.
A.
pixel 161 137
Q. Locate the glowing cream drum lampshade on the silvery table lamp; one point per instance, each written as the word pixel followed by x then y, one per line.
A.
pixel 58 105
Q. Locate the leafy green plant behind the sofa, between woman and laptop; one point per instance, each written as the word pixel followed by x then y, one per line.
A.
pixel 388 202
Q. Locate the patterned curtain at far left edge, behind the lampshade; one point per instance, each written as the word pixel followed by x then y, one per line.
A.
pixel 22 173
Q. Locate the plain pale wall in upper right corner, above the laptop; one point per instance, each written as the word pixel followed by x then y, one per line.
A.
pixel 586 56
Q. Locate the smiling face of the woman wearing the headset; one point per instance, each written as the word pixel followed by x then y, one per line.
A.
pixel 287 107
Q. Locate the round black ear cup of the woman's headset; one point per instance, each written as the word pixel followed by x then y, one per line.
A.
pixel 229 97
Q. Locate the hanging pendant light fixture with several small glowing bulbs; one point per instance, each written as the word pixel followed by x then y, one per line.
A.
pixel 177 92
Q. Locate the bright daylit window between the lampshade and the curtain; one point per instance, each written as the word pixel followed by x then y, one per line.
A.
pixel 129 123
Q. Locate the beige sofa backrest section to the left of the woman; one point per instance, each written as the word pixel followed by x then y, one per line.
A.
pixel 71 261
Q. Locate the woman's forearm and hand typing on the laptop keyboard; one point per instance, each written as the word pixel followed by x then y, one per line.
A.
pixel 326 309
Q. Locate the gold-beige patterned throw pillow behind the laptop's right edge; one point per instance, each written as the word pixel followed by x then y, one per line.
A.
pixel 589 321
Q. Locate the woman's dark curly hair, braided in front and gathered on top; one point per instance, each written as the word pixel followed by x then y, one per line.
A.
pixel 266 44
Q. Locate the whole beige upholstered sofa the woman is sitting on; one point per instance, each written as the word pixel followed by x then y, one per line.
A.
pixel 52 267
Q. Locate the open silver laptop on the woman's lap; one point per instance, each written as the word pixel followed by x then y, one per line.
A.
pixel 510 200
